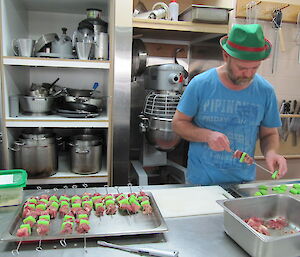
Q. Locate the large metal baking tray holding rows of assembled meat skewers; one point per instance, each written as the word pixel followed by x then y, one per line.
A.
pixel 104 226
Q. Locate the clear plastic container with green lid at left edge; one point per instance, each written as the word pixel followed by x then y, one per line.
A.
pixel 11 187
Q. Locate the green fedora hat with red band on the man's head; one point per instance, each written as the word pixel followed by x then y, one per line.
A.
pixel 246 42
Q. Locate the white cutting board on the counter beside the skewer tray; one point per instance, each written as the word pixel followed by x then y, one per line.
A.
pixel 189 201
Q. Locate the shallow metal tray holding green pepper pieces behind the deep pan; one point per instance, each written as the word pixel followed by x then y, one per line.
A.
pixel 249 189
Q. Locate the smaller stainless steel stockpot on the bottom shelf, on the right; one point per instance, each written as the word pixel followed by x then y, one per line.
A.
pixel 86 154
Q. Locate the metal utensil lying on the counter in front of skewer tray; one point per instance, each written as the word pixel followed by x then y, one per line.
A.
pixel 147 251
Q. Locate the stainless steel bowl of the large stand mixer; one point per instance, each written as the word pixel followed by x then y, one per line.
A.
pixel 160 134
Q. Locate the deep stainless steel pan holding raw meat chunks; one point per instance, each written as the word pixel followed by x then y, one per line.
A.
pixel 278 244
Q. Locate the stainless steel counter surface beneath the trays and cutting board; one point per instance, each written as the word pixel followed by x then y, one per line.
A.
pixel 191 236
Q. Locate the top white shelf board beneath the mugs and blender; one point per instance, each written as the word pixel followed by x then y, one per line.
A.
pixel 51 62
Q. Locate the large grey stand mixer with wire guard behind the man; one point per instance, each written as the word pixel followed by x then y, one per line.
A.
pixel 164 85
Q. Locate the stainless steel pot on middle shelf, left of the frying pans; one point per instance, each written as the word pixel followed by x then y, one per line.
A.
pixel 31 104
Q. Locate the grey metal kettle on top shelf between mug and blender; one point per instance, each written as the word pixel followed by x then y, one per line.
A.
pixel 62 46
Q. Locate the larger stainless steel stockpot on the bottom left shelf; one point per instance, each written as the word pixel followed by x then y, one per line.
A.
pixel 35 152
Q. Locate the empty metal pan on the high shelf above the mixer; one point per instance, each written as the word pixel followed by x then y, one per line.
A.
pixel 205 14
